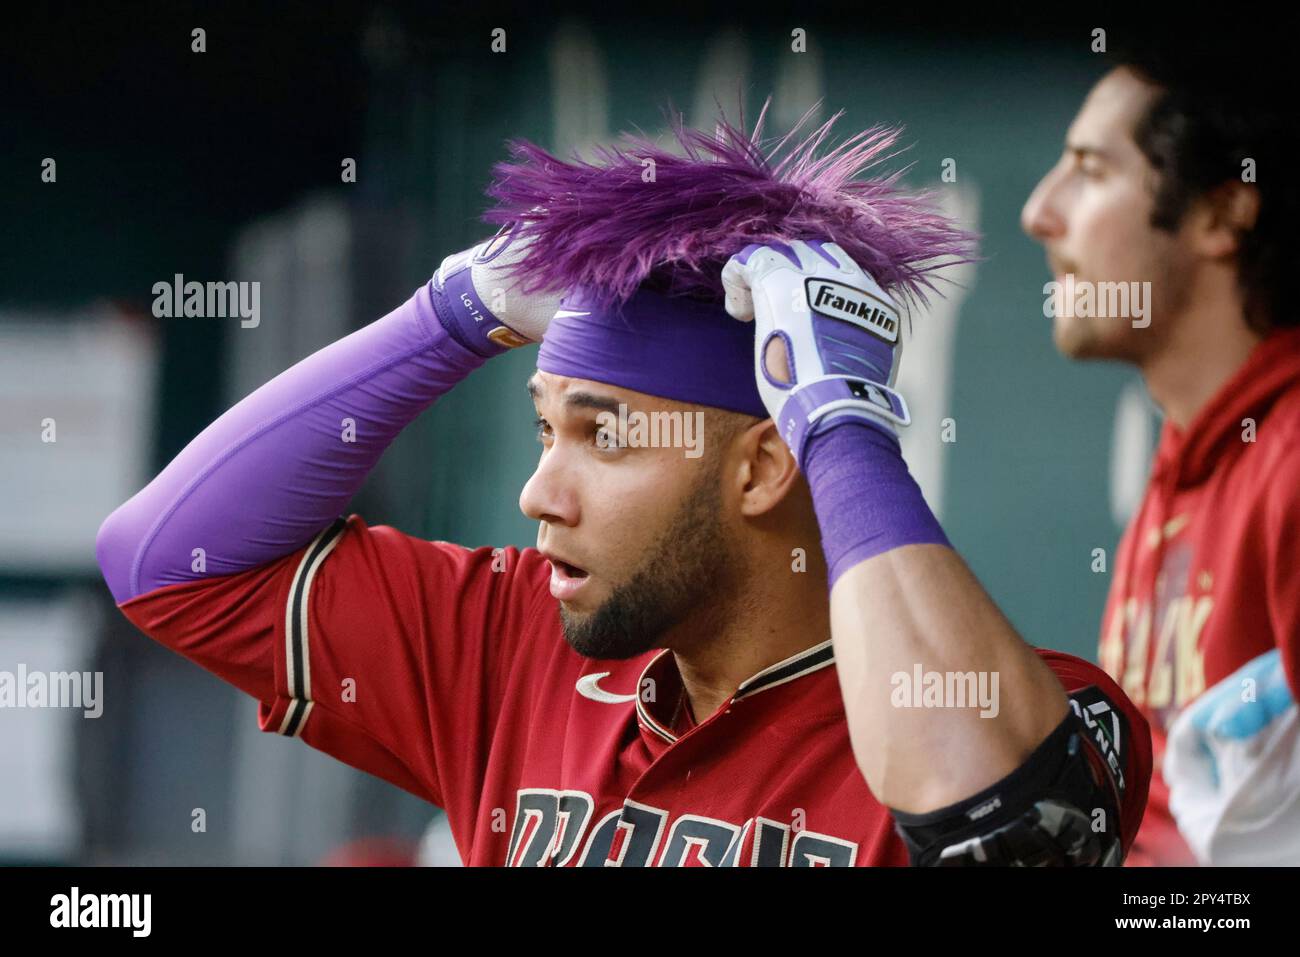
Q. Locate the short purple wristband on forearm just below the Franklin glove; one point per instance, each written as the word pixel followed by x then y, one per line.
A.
pixel 866 500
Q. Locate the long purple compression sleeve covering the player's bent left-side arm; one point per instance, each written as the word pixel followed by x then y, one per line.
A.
pixel 274 471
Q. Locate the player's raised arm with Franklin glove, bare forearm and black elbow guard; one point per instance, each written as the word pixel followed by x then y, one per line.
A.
pixel 963 781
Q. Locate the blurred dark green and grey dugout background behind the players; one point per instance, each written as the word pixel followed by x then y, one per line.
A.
pixel 227 166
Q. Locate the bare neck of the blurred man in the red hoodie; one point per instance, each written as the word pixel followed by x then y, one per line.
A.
pixel 1203 352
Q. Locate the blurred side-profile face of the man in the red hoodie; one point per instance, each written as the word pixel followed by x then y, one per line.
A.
pixel 1093 215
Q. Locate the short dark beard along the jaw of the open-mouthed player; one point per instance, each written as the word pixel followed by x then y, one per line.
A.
pixel 686 573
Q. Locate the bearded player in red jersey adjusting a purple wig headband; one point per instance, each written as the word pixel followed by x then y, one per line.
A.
pixel 753 651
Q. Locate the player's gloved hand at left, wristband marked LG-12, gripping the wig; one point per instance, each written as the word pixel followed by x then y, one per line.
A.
pixel 475 292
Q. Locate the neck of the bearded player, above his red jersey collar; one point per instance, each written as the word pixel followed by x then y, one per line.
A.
pixel 774 618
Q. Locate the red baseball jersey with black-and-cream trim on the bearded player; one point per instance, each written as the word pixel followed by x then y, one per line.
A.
pixel 445 672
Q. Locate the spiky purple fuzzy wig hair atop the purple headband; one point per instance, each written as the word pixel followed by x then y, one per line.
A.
pixel 600 227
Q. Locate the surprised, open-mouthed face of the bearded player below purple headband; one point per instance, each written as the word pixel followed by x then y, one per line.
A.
pixel 634 532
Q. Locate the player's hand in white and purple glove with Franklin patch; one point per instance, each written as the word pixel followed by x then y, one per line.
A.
pixel 827 340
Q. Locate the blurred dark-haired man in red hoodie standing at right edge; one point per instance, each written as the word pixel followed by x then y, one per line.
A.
pixel 1163 189
